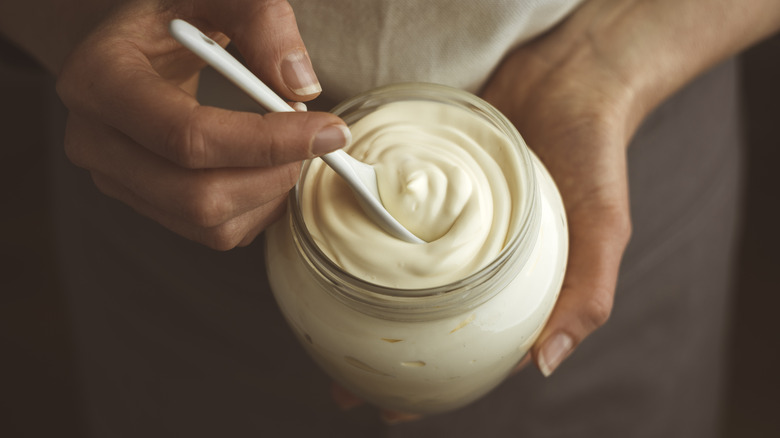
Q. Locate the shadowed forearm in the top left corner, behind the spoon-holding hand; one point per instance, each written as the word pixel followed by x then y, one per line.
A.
pixel 48 30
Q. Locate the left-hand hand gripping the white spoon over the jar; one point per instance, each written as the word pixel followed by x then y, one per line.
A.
pixel 214 176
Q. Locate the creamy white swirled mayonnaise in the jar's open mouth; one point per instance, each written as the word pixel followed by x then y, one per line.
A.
pixel 442 172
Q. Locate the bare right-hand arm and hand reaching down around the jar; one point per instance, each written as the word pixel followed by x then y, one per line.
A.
pixel 578 93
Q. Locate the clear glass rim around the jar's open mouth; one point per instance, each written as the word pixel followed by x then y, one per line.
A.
pixel 409 301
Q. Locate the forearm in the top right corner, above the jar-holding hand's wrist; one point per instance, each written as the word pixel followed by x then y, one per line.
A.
pixel 660 46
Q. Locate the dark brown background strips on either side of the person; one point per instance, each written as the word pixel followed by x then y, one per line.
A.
pixel 39 396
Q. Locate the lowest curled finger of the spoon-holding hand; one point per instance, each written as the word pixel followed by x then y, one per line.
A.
pixel 238 231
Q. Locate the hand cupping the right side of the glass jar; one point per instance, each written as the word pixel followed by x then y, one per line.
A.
pixel 578 119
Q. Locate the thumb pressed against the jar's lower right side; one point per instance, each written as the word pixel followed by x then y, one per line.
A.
pixel 597 242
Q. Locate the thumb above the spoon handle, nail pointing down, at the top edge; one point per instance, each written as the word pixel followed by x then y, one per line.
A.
pixel 266 34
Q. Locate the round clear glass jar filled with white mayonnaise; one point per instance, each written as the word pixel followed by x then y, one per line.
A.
pixel 435 349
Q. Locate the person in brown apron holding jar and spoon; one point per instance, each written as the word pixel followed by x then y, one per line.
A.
pixel 177 338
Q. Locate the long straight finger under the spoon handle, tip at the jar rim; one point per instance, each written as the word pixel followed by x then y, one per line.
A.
pixel 170 123
